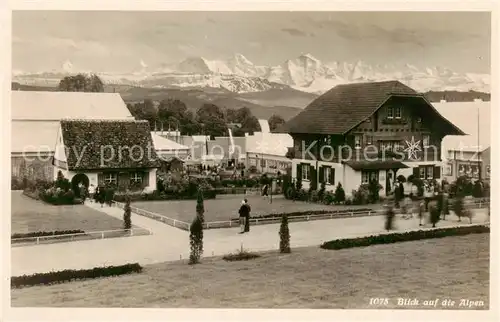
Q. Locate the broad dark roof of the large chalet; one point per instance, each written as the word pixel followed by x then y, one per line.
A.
pixel 343 107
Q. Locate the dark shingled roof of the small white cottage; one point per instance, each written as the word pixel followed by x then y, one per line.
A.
pixel 106 144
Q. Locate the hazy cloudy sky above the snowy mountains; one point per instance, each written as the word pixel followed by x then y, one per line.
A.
pixel 114 41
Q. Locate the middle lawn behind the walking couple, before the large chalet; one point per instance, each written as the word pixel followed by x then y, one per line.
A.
pixel 225 207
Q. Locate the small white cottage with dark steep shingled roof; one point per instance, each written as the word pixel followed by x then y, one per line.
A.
pixel 119 153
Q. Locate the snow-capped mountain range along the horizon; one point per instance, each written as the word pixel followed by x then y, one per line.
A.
pixel 304 73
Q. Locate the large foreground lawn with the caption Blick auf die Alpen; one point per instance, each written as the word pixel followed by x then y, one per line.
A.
pixel 451 267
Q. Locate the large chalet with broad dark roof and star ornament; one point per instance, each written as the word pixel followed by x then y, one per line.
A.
pixel 357 133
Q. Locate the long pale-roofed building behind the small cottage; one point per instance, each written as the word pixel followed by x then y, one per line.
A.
pixel 35 123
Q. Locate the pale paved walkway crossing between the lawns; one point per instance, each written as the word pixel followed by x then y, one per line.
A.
pixel 169 244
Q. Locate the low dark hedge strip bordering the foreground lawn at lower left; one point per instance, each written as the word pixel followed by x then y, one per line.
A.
pixel 71 275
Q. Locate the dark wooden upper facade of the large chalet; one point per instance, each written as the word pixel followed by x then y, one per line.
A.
pixel 388 129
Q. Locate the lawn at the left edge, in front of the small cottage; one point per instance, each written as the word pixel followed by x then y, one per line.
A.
pixel 29 215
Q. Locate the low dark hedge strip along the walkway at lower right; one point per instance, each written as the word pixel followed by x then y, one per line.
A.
pixel 403 237
